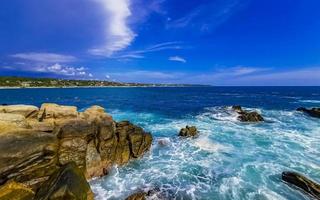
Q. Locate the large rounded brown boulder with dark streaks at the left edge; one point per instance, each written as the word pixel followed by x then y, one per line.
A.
pixel 27 156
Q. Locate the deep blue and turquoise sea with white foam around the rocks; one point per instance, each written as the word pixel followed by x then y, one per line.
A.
pixel 229 160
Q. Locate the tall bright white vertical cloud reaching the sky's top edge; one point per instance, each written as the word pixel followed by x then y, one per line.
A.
pixel 118 33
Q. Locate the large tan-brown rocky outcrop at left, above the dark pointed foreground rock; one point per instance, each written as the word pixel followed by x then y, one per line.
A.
pixel 33 148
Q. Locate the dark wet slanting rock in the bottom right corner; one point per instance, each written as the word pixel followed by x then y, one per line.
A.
pixel 303 183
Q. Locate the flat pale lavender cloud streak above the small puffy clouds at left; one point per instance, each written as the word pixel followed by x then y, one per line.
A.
pixel 45 57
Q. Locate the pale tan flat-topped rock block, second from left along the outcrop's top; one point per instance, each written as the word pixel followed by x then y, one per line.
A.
pixel 54 112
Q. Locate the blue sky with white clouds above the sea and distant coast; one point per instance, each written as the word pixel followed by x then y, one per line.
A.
pixel 218 42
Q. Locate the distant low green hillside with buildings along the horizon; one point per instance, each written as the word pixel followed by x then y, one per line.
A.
pixel 24 82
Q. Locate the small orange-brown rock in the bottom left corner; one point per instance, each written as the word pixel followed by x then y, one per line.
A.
pixel 15 191
